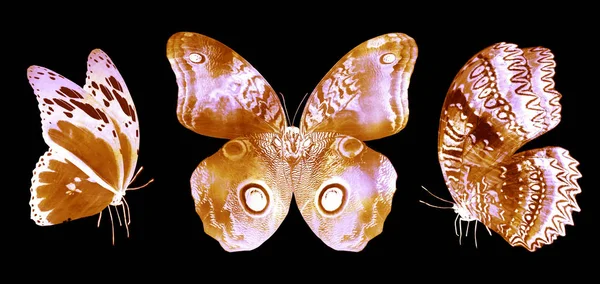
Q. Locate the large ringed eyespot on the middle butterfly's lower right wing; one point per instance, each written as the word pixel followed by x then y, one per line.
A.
pixel 331 198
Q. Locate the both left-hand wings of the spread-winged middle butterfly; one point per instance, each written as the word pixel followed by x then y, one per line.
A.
pixel 222 95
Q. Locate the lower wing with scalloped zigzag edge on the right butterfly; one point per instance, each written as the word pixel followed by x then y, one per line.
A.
pixel 529 199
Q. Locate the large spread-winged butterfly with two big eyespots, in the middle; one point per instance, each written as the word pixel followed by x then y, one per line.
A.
pixel 342 188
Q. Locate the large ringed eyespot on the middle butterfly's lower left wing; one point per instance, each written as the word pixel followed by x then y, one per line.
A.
pixel 255 198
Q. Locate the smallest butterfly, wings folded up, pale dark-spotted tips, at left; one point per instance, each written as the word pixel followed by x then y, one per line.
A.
pixel 93 138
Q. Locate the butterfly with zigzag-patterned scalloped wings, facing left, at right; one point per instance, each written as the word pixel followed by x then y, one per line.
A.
pixel 502 98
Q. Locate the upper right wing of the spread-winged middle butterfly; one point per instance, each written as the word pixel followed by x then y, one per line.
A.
pixel 365 94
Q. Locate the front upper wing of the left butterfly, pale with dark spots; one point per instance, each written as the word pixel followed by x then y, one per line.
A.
pixel 77 126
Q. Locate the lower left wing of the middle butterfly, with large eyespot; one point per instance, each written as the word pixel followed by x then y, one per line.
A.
pixel 241 192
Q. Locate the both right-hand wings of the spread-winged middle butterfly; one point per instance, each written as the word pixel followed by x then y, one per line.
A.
pixel 363 97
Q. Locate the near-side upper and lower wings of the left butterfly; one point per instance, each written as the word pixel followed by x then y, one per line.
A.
pixel 86 144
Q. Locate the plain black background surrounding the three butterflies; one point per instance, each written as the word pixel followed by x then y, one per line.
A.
pixel 293 53
